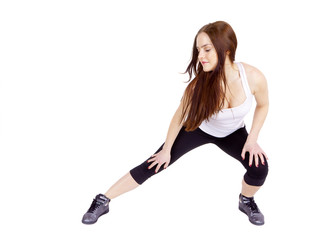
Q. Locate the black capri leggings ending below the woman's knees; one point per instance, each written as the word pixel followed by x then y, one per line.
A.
pixel 185 141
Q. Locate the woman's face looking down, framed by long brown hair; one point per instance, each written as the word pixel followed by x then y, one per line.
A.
pixel 207 54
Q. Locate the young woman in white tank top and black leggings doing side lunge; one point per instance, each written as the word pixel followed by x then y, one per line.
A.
pixel 212 110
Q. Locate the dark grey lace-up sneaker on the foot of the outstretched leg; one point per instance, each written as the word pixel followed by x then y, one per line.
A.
pixel 99 207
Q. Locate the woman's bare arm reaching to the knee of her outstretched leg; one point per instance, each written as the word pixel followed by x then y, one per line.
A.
pixel 163 157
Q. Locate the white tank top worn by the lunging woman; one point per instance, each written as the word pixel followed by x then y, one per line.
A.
pixel 229 120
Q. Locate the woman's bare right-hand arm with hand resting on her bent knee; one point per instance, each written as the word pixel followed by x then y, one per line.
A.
pixel 260 91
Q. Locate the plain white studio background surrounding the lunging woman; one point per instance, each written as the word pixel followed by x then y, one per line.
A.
pixel 88 89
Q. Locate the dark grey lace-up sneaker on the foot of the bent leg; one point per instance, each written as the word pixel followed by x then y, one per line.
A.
pixel 250 208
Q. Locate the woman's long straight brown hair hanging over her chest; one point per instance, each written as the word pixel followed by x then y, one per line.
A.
pixel 205 94
